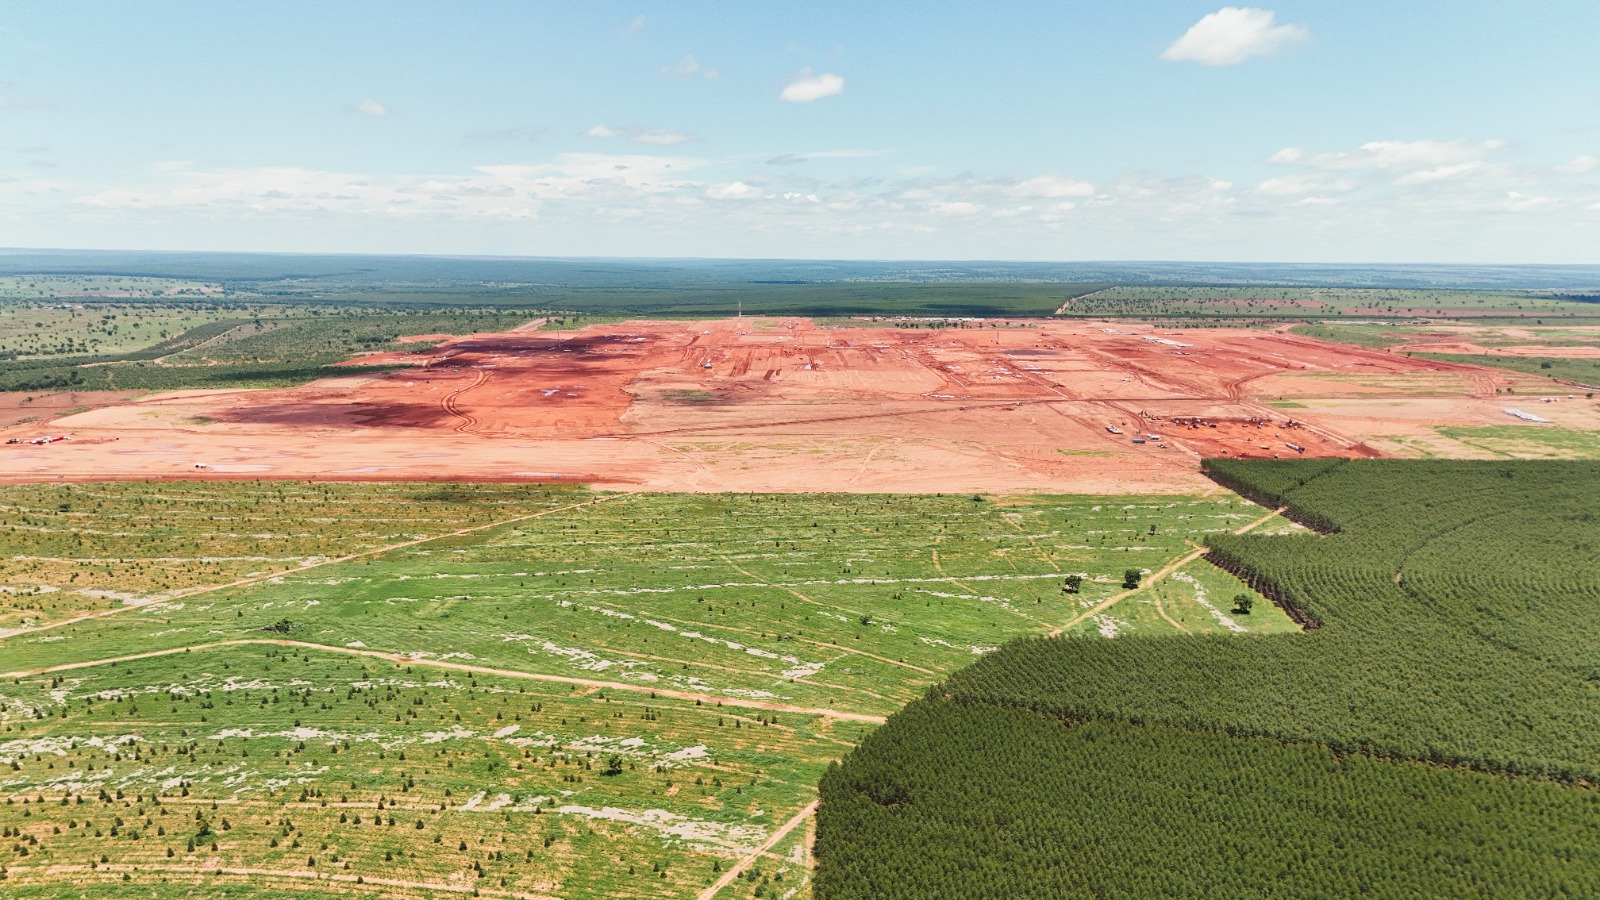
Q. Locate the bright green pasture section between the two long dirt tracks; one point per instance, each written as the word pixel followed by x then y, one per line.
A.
pixel 807 600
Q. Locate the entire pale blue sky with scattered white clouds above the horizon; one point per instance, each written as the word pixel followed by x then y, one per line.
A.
pixel 1162 131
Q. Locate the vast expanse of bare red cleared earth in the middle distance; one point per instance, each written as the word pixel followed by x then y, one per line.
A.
pixel 767 404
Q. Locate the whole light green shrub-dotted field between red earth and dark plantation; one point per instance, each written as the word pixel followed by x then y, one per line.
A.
pixel 591 696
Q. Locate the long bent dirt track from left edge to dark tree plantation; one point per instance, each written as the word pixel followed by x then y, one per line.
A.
pixel 404 661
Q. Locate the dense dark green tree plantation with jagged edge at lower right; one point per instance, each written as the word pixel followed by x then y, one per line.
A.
pixel 1436 731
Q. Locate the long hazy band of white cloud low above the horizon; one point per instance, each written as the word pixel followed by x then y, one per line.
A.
pixel 1383 199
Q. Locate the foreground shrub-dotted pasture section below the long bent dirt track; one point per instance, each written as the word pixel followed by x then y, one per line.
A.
pixel 300 761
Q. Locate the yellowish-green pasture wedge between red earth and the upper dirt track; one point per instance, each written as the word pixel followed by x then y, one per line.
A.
pixel 74 548
